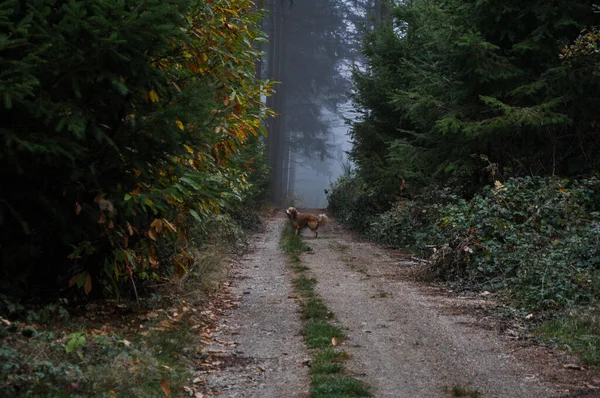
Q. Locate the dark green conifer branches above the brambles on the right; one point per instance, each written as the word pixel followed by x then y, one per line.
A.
pixel 447 84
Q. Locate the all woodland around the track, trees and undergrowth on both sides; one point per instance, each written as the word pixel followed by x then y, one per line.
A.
pixel 139 141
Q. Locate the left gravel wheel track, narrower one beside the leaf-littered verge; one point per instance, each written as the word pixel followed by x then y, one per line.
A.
pixel 262 337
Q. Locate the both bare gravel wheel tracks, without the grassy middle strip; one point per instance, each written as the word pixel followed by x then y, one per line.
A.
pixel 402 341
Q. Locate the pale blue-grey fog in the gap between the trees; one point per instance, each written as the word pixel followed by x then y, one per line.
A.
pixel 311 49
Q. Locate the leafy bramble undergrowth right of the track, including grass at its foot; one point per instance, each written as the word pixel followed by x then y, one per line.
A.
pixel 534 240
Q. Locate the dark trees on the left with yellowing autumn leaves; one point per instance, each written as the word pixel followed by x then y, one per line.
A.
pixel 122 128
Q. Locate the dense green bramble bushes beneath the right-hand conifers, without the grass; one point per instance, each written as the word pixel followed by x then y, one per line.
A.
pixel 535 237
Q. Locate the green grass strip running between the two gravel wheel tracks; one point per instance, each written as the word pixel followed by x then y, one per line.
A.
pixel 328 376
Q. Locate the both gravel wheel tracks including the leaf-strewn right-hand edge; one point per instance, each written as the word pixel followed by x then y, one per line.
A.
pixel 403 338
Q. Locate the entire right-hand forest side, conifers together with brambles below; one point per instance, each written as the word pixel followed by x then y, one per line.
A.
pixel 477 147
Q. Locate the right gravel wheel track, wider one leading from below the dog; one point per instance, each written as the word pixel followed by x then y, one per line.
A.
pixel 400 340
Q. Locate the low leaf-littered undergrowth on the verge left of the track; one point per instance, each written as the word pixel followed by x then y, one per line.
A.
pixel 111 348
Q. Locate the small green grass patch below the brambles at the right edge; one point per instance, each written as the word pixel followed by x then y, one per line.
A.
pixel 579 334
